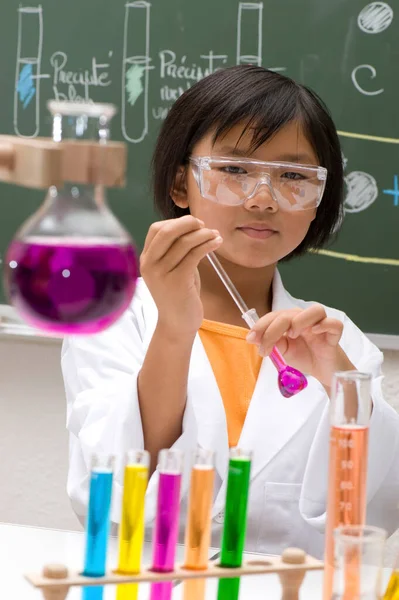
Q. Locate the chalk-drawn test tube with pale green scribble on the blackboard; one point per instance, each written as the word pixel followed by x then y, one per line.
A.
pixel 135 71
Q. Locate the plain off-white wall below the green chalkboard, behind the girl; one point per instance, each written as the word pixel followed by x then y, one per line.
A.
pixel 33 439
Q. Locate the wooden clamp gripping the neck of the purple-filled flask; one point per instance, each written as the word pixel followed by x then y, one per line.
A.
pixel 41 163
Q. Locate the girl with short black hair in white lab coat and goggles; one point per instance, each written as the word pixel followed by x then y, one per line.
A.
pixel 180 369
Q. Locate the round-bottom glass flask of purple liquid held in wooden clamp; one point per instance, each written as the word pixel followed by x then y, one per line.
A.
pixel 72 268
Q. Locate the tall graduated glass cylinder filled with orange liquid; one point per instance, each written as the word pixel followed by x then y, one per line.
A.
pixel 347 475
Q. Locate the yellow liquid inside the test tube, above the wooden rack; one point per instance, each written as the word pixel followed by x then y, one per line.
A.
pixel 131 534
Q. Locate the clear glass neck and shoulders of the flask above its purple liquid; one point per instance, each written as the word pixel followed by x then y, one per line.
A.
pixel 74 208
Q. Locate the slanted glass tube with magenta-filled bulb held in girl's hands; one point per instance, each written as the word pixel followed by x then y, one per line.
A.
pixel 290 380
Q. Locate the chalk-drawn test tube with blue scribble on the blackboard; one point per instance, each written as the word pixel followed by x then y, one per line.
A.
pixel 27 74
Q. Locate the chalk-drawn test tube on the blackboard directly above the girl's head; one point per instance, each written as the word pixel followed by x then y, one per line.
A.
pixel 249 33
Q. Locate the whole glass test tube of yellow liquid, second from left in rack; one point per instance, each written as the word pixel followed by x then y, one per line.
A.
pixel 131 529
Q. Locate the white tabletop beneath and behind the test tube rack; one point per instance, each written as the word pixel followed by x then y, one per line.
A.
pixel 26 549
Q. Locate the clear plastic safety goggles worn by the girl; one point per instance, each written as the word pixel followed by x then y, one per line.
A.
pixel 232 181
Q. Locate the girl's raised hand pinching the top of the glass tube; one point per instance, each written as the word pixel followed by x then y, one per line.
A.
pixel 168 264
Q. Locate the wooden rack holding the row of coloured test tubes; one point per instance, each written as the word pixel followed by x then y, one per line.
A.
pixel 55 580
